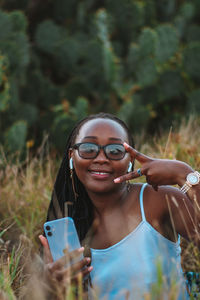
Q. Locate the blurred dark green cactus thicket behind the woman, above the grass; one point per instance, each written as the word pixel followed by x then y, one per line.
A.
pixel 61 60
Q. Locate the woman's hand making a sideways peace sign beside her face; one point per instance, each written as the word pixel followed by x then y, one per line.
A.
pixel 157 171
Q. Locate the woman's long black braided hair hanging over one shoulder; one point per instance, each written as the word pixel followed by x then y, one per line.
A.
pixel 63 202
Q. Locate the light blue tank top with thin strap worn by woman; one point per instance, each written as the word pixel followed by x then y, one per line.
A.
pixel 131 267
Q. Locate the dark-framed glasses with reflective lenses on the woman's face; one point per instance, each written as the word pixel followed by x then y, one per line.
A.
pixel 91 150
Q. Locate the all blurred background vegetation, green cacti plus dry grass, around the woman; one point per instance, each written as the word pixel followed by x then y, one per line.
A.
pixel 61 60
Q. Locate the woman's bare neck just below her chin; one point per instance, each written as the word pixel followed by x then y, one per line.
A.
pixel 105 202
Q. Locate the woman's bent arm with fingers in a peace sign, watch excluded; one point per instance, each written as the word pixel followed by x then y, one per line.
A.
pixel 185 208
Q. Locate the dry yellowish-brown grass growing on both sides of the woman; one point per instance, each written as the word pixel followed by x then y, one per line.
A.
pixel 25 194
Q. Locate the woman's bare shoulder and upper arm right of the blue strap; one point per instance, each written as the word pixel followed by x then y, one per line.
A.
pixel 168 210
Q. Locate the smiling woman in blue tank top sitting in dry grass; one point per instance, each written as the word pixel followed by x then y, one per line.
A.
pixel 132 229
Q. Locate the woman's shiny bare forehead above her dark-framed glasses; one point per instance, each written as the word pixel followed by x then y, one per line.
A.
pixel 102 128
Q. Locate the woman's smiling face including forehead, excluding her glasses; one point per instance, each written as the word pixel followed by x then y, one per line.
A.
pixel 97 174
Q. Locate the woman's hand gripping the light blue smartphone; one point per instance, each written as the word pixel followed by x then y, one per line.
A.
pixel 57 271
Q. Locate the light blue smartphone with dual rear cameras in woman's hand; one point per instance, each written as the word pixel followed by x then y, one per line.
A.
pixel 61 234
